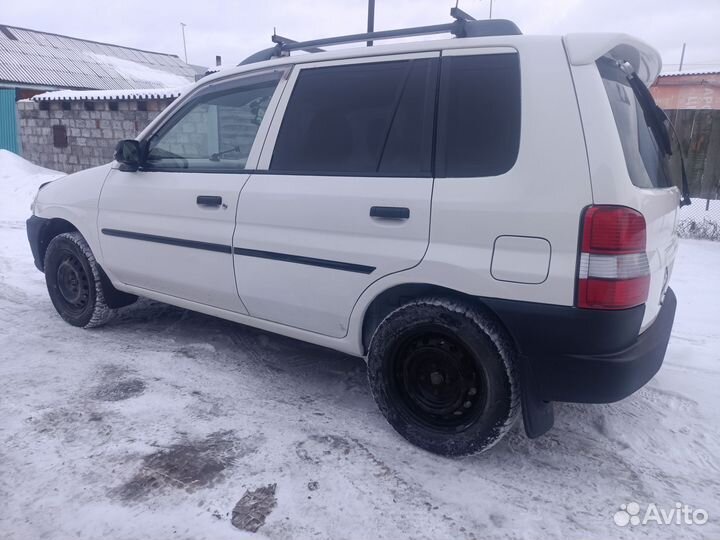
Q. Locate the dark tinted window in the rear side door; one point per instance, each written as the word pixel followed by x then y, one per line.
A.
pixel 362 119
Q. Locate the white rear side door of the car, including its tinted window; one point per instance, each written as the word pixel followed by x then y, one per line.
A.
pixel 343 193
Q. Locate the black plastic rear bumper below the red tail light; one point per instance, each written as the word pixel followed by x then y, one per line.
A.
pixel 590 356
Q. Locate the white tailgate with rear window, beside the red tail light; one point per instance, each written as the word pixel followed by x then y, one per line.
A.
pixel 653 172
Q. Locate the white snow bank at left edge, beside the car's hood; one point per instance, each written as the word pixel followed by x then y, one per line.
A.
pixel 19 182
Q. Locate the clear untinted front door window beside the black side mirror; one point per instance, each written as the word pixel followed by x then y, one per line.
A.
pixel 215 130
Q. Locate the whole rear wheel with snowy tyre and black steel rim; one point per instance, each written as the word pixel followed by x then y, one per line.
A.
pixel 442 374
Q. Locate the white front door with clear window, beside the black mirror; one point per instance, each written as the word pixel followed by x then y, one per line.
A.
pixel 168 227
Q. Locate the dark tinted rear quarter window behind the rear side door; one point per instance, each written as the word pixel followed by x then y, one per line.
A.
pixel 479 115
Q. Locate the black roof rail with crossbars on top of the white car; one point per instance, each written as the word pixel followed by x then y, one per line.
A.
pixel 463 26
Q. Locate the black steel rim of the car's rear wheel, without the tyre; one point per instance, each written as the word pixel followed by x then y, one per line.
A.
pixel 439 382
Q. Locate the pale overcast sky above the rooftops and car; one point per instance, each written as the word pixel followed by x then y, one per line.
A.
pixel 236 28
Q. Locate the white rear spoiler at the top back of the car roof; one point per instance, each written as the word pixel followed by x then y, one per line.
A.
pixel 587 48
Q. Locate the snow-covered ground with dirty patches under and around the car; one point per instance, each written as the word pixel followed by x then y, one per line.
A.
pixel 156 425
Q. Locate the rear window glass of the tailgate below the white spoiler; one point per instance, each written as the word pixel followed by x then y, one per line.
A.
pixel 652 153
